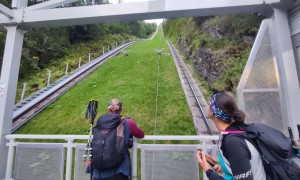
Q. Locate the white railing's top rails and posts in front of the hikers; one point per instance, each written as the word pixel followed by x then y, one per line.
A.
pixel 69 145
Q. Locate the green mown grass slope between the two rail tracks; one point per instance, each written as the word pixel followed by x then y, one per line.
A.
pixel 133 79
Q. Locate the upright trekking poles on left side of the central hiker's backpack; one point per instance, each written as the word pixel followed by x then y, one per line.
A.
pixel 91 113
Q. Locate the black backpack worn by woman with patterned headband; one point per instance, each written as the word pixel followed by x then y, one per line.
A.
pixel 279 158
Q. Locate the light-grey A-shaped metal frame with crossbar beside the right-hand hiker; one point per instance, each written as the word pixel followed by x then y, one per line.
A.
pixel 285 67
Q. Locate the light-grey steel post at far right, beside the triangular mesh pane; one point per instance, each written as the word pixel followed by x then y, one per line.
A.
pixel 287 71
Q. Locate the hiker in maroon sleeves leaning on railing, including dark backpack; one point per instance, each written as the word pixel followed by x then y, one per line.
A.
pixel 111 140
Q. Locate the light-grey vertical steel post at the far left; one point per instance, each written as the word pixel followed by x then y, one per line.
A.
pixel 8 86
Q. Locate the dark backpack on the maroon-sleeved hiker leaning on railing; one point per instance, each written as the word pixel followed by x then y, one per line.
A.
pixel 108 149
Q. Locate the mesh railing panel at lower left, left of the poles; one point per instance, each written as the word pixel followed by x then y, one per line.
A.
pixel 39 161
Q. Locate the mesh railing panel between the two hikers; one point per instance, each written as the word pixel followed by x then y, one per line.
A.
pixel 169 163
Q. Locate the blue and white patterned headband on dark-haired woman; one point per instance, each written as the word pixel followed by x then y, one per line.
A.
pixel 216 110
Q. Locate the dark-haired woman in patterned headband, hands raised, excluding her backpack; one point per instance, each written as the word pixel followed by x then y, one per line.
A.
pixel 238 158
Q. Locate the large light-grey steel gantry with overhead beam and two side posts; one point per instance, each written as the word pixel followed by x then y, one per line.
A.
pixel 21 18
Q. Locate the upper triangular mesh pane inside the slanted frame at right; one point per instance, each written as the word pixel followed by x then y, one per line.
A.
pixel 263 72
